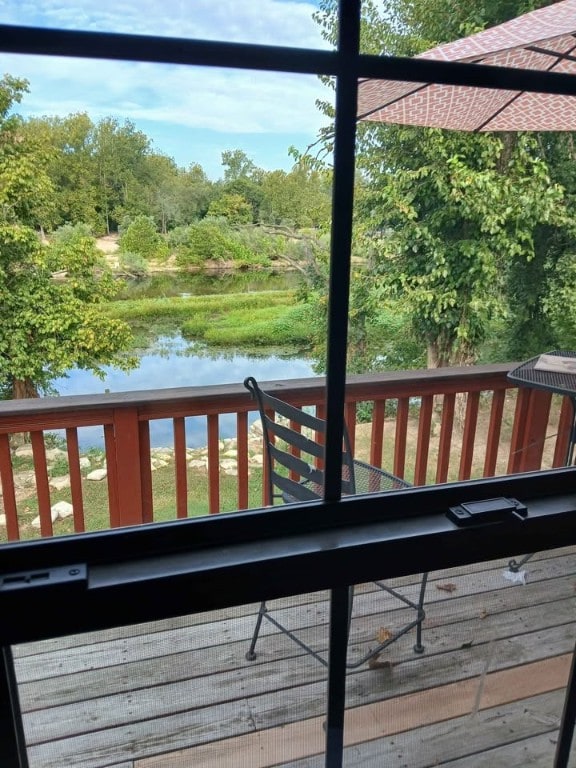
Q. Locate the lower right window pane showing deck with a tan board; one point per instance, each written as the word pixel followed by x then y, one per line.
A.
pixel 490 683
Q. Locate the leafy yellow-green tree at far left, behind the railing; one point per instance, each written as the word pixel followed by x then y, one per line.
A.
pixel 48 325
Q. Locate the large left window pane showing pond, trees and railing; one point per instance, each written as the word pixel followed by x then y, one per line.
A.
pixel 182 182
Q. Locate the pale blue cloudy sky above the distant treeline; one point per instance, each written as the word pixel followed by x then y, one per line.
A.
pixel 190 114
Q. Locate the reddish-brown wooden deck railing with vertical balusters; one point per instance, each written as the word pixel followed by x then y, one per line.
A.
pixel 427 426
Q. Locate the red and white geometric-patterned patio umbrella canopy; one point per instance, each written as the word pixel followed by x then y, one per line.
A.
pixel 541 40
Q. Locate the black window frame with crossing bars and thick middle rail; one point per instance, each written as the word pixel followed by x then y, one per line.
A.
pixel 193 565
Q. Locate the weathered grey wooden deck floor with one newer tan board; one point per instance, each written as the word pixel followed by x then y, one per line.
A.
pixel 488 690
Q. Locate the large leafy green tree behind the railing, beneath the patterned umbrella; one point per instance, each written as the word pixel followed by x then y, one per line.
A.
pixel 448 216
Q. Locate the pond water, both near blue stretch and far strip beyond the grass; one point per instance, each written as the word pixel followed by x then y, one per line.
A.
pixel 172 361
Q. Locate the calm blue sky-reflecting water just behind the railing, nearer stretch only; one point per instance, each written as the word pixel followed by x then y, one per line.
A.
pixel 173 362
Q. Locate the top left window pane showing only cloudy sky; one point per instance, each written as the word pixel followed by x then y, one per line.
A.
pixel 268 22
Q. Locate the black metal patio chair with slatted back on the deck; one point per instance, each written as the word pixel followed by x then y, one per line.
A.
pixel 294 455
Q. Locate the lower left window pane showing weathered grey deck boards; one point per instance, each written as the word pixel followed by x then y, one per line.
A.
pixel 178 692
